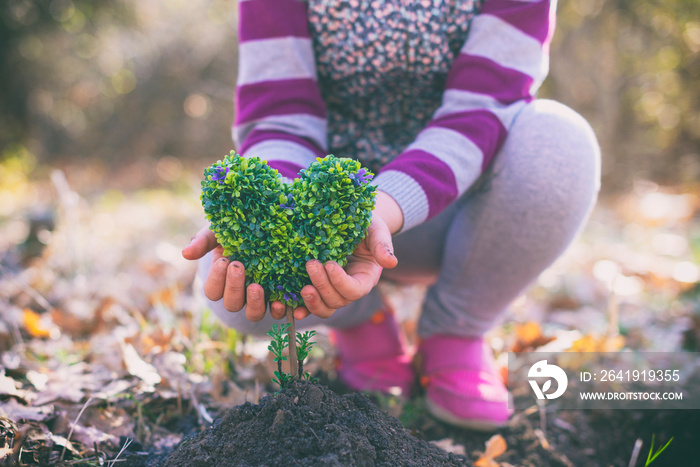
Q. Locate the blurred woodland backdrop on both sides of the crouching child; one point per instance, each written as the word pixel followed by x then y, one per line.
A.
pixel 151 83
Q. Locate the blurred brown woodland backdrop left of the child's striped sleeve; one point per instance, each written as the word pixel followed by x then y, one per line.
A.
pixel 119 83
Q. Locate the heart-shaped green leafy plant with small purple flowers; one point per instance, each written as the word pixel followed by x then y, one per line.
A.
pixel 274 227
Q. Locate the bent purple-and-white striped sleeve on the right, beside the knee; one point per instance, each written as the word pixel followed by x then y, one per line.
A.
pixel 498 70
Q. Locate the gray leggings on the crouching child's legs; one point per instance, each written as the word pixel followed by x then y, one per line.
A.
pixel 484 250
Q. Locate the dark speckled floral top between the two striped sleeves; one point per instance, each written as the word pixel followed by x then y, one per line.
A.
pixel 382 68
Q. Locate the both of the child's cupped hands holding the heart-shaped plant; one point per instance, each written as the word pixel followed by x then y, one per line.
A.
pixel 333 287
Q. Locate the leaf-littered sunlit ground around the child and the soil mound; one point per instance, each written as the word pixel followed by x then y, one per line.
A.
pixel 108 353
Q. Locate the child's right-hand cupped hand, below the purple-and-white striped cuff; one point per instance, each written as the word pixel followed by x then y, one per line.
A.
pixel 334 287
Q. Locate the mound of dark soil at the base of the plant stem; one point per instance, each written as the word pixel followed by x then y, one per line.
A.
pixel 308 425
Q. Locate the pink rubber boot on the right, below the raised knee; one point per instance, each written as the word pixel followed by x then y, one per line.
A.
pixel 462 383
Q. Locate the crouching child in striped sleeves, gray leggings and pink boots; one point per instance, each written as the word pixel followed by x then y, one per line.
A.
pixel 481 186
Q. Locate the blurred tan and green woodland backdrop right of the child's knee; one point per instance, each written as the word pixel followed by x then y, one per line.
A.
pixel 632 68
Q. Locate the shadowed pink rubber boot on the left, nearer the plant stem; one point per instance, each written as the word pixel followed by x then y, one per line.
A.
pixel 373 356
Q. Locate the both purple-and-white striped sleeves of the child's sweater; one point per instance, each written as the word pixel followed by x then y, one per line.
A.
pixel 281 115
